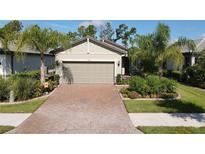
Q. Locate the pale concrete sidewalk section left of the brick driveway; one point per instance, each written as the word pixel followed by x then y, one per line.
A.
pixel 13 119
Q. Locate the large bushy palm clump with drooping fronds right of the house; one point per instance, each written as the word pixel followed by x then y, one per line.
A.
pixel 155 49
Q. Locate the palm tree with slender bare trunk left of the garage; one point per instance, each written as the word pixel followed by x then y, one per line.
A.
pixel 42 40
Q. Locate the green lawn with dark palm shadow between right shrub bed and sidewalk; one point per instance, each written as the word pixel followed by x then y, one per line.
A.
pixel 193 101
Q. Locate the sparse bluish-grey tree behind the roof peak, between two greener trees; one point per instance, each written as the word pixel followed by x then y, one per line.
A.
pixel 106 32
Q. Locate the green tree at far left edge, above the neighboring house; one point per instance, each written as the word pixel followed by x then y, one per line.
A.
pixel 9 32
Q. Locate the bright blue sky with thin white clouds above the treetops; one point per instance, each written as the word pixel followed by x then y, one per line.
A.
pixel 193 29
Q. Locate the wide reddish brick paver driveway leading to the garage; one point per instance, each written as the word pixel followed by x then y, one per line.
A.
pixel 80 108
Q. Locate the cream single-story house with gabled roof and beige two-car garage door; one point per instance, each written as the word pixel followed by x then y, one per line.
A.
pixel 91 61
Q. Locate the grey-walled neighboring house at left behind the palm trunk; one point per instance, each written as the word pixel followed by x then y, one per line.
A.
pixel 10 64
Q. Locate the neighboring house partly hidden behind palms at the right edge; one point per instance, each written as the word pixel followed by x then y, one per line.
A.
pixel 190 57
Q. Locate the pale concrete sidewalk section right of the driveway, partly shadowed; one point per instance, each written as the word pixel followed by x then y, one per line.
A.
pixel 168 119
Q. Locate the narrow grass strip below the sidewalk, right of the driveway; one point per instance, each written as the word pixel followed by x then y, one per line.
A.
pixel 171 130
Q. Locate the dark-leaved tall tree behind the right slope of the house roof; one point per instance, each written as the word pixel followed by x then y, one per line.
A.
pixel 124 34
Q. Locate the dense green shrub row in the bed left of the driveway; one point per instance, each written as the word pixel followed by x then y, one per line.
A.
pixel 26 85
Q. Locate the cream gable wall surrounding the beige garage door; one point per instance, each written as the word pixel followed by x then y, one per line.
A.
pixel 90 52
